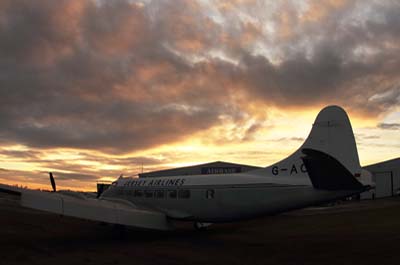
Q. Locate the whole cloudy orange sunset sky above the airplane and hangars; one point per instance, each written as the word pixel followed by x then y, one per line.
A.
pixel 93 89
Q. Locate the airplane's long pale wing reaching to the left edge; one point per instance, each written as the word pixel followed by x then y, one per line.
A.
pixel 114 212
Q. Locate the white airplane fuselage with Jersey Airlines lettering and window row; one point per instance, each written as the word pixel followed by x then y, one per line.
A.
pixel 221 198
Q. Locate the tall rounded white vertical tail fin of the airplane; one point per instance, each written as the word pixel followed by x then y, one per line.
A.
pixel 331 134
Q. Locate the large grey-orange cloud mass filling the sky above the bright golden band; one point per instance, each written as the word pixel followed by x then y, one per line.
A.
pixel 118 76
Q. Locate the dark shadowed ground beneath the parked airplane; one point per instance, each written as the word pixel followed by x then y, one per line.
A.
pixel 366 232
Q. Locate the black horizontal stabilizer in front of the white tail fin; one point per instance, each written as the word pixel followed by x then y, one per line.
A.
pixel 327 173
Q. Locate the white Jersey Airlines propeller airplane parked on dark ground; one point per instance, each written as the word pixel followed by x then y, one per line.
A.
pixel 324 169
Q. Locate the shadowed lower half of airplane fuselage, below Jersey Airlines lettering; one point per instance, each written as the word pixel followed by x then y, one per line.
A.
pixel 214 204
